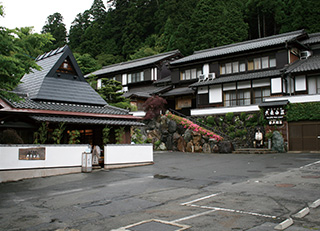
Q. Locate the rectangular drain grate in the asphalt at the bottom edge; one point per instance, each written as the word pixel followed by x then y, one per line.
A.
pixel 156 225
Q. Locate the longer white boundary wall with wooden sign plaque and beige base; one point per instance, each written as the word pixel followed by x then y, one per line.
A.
pixel 59 159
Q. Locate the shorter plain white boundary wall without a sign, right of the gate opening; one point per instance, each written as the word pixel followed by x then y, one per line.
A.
pixel 127 154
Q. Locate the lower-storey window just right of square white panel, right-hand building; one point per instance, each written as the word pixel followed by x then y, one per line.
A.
pixel 237 98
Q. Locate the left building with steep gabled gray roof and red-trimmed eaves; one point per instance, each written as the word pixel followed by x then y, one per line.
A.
pixel 59 93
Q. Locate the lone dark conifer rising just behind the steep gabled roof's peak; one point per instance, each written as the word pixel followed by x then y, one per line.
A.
pixel 55 26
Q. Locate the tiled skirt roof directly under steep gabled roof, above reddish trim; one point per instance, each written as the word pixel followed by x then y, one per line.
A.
pixel 68 107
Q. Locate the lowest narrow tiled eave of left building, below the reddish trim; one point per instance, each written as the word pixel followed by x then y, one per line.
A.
pixel 86 120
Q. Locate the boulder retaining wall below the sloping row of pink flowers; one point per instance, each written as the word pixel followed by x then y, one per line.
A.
pixel 166 134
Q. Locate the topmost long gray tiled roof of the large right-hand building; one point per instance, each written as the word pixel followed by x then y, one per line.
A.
pixel 241 47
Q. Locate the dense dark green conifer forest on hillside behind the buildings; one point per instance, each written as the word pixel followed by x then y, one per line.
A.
pixel 121 30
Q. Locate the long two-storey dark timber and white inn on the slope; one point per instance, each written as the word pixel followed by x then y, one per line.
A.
pixel 268 73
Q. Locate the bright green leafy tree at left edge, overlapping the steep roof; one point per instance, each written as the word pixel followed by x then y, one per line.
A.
pixel 18 47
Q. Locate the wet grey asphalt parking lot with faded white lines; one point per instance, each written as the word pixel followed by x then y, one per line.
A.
pixel 181 191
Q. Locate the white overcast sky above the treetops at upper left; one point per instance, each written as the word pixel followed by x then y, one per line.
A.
pixel 22 13
